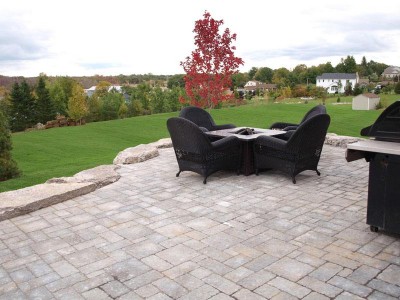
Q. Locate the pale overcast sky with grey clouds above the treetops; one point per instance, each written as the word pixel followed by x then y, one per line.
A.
pixel 84 38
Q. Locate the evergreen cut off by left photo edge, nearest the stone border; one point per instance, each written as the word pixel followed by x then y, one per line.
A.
pixel 8 167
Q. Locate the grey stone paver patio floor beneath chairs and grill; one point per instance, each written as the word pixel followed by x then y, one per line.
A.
pixel 154 236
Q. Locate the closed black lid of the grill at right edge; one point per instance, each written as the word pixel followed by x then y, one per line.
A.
pixel 387 126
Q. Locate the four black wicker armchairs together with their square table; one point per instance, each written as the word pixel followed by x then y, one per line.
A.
pixel 204 147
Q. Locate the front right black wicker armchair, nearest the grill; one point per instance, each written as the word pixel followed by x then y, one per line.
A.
pixel 301 152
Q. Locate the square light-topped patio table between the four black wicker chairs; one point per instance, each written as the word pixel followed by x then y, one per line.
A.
pixel 247 163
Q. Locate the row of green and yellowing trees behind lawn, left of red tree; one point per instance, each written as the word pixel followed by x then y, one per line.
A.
pixel 26 105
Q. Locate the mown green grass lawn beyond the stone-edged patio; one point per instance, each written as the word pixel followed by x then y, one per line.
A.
pixel 60 152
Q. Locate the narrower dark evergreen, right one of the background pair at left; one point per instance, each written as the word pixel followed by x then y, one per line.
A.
pixel 44 105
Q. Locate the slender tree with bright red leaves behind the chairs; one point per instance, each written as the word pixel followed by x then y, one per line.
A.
pixel 211 65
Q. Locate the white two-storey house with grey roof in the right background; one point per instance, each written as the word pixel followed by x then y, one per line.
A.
pixel 332 81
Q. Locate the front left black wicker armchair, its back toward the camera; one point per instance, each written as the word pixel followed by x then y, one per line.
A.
pixel 195 152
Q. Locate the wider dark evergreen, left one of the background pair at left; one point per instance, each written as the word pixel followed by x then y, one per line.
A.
pixel 22 107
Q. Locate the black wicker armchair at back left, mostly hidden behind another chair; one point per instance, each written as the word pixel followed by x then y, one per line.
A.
pixel 202 119
